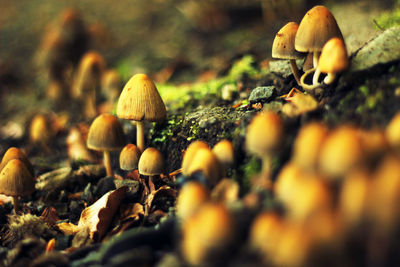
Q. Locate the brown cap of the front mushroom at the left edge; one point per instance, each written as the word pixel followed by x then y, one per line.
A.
pixel 16 180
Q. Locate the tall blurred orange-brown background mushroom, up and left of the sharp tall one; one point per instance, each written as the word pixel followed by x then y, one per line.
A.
pixel 87 82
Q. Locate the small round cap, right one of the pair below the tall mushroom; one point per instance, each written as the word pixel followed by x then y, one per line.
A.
pixel 151 162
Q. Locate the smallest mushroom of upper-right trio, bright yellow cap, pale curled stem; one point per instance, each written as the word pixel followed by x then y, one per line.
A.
pixel 333 60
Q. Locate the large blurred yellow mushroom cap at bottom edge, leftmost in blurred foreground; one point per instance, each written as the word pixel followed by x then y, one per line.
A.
pixel 209 229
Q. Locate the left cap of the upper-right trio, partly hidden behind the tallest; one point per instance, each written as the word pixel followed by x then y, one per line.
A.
pixel 283 45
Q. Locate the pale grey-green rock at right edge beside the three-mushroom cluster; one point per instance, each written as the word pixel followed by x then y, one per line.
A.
pixel 380 50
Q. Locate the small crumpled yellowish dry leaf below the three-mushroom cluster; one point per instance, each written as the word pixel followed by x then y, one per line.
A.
pixel 299 104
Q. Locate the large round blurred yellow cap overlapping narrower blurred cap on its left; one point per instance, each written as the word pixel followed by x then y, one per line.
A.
pixel 341 151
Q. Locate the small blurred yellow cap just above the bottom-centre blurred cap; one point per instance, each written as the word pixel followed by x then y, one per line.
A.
pixel 190 198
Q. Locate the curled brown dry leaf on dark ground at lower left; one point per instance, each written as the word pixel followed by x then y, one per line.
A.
pixel 99 215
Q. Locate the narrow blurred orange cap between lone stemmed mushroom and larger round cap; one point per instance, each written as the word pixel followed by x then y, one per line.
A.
pixel 308 143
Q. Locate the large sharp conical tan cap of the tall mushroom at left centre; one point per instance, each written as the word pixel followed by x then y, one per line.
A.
pixel 140 100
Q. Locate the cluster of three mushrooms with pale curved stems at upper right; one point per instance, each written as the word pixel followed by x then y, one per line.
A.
pixel 319 39
